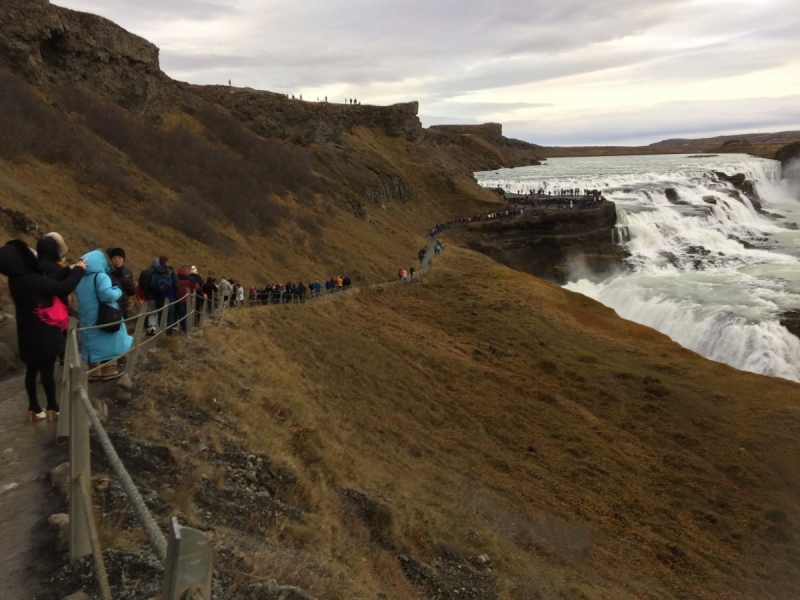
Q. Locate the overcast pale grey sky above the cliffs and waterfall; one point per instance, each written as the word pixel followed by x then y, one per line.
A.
pixel 554 72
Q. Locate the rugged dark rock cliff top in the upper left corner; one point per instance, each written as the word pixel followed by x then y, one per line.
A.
pixel 50 45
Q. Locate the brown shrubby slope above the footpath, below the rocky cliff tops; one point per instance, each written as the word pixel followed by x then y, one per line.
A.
pixel 200 187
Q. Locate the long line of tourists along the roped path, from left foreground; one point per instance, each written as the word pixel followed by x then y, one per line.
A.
pixel 106 293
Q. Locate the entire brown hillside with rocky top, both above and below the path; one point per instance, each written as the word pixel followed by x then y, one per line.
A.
pixel 475 434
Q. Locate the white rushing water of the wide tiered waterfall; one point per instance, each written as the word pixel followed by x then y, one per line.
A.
pixel 708 270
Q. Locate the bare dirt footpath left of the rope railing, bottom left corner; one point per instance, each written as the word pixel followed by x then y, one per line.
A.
pixel 27 452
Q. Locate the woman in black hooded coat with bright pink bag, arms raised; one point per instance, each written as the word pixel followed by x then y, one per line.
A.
pixel 41 318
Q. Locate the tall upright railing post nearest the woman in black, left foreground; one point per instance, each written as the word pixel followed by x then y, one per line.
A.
pixel 79 466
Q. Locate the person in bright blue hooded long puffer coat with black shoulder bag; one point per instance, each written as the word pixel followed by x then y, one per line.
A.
pixel 98 346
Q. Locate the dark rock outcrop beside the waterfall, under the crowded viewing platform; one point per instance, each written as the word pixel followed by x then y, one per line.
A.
pixel 557 245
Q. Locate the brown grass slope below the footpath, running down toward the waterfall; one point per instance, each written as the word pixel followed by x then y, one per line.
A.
pixel 481 410
